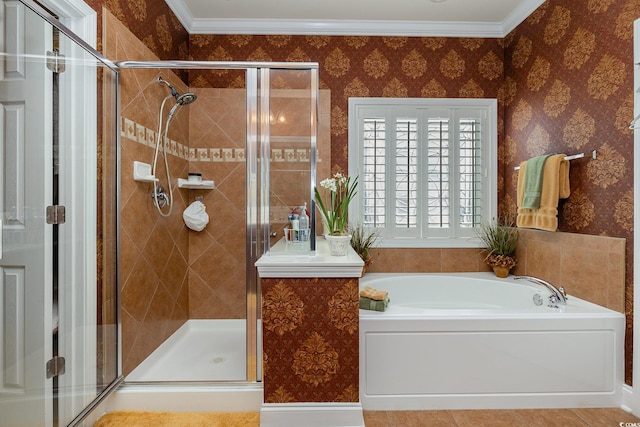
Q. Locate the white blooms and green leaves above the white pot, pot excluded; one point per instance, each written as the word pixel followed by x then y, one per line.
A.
pixel 341 190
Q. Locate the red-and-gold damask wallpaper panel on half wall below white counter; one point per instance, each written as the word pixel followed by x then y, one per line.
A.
pixel 310 340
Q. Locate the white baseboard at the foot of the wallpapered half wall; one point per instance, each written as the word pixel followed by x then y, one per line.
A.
pixel 311 415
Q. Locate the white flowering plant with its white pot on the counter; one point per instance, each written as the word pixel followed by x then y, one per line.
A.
pixel 335 210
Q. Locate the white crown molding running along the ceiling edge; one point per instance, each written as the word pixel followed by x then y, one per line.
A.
pixel 338 27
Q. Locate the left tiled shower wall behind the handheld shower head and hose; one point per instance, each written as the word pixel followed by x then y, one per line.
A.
pixel 153 249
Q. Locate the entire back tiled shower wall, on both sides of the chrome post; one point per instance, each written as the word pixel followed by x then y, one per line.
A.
pixel 217 259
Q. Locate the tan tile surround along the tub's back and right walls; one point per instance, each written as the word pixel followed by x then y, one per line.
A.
pixel 589 267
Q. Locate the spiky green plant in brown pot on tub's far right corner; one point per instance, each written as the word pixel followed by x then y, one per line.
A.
pixel 500 241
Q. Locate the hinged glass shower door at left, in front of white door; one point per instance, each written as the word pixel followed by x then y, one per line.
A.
pixel 55 248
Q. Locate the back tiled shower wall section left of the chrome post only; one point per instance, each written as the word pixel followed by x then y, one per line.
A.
pixel 217 259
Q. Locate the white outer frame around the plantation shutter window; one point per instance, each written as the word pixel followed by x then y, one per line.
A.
pixel 487 110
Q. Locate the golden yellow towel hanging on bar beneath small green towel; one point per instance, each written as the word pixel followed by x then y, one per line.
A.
pixel 555 185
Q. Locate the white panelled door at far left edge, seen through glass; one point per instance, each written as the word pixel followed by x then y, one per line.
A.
pixel 25 191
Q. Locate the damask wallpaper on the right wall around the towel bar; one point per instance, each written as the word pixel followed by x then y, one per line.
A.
pixel 568 88
